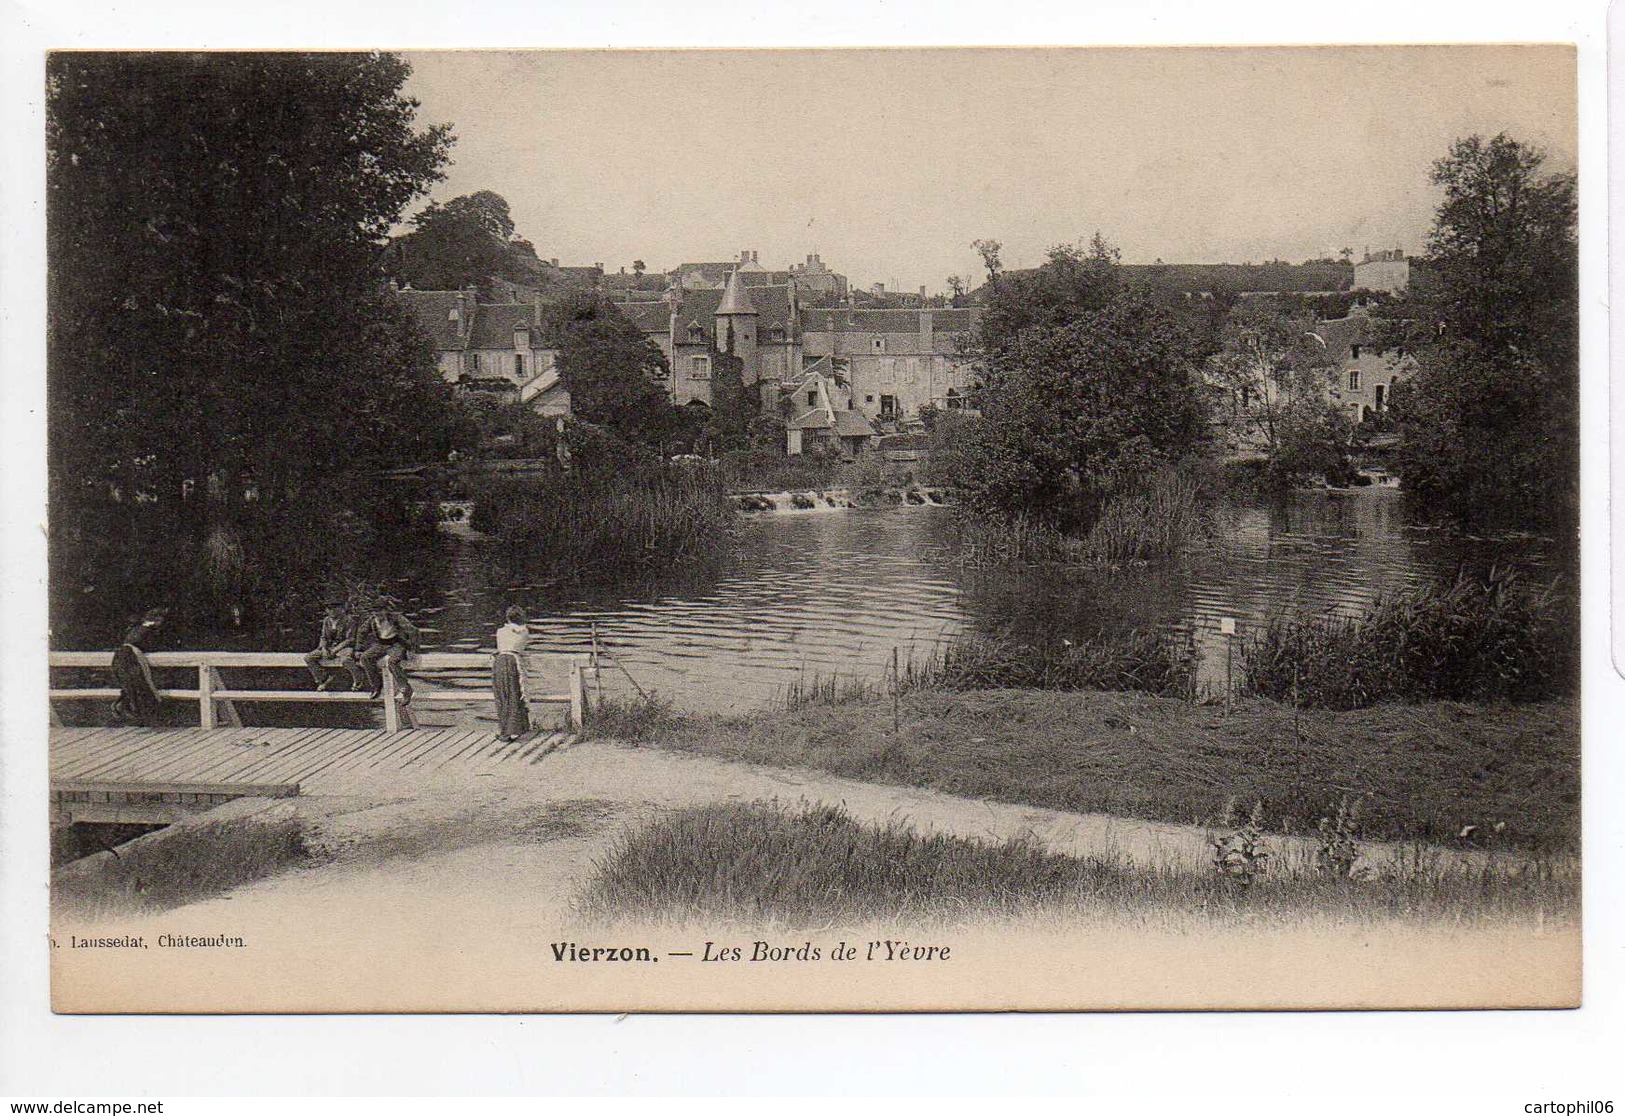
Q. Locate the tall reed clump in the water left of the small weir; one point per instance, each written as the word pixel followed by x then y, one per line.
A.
pixel 602 524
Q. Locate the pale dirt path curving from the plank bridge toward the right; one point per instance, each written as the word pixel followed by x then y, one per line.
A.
pixel 422 846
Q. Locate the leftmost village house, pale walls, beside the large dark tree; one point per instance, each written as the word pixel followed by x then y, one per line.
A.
pixel 492 347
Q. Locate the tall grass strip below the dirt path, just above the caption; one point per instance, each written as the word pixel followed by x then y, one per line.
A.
pixel 763 865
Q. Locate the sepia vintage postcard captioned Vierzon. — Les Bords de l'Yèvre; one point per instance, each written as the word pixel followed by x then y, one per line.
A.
pixel 815 530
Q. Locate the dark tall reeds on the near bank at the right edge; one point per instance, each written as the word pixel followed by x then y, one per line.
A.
pixel 1488 639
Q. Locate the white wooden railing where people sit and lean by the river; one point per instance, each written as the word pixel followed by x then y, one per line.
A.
pixel 217 703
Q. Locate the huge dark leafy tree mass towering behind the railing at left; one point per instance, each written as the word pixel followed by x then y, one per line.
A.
pixel 219 326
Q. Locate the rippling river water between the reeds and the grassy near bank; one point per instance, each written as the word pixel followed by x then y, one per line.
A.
pixel 834 592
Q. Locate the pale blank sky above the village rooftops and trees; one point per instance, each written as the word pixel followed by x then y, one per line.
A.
pixel 890 163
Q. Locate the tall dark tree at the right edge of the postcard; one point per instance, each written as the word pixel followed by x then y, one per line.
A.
pixel 1489 423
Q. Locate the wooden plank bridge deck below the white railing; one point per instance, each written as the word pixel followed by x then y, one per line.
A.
pixel 142 774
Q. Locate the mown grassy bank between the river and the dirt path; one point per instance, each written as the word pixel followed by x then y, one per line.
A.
pixel 1419 772
